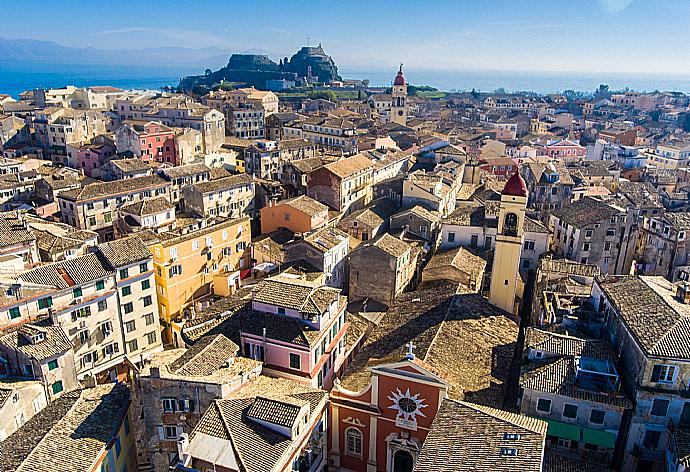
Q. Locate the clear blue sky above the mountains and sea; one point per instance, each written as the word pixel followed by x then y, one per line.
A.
pixel 622 36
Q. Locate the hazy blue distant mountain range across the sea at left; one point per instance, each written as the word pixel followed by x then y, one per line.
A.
pixel 49 51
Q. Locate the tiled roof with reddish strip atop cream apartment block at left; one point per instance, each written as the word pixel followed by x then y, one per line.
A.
pixel 68 273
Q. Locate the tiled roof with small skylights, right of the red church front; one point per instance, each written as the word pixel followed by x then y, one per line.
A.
pixel 465 437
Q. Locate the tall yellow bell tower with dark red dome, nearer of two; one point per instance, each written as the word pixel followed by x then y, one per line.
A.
pixel 506 265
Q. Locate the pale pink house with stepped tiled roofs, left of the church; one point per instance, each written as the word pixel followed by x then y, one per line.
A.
pixel 297 330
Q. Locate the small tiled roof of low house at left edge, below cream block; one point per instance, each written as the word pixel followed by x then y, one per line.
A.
pixel 56 341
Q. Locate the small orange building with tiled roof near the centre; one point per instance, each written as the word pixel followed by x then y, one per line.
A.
pixel 300 215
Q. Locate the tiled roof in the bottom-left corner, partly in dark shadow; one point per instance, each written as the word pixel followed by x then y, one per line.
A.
pixel 77 440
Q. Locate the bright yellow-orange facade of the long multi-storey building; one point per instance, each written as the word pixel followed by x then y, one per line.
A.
pixel 194 263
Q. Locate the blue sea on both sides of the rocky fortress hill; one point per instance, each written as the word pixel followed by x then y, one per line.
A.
pixel 16 77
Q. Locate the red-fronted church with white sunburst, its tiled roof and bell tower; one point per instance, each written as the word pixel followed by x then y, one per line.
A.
pixel 441 343
